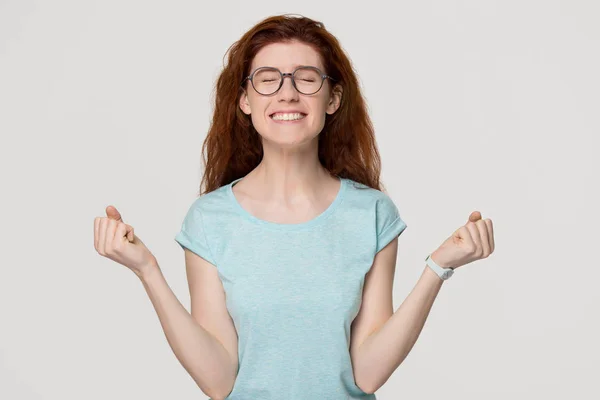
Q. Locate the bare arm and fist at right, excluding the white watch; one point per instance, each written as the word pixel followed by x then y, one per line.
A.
pixel 383 340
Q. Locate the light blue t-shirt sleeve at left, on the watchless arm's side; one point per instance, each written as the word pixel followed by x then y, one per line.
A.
pixel 192 234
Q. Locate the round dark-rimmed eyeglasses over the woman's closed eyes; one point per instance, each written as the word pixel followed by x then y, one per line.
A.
pixel 305 79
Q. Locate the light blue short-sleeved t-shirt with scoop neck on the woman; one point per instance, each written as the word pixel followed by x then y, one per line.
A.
pixel 293 290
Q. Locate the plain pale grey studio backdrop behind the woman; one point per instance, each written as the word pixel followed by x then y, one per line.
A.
pixel 478 105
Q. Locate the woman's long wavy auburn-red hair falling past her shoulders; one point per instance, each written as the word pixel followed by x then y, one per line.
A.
pixel 232 148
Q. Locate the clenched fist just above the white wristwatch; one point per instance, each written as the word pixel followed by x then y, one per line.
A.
pixel 470 242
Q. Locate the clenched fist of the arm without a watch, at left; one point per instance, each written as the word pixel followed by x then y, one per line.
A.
pixel 115 240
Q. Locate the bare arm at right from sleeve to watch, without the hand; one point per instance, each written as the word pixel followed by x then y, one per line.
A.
pixel 382 339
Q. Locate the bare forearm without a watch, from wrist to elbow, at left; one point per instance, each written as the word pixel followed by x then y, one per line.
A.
pixel 199 352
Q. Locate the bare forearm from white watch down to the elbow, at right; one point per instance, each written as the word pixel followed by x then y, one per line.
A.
pixel 384 350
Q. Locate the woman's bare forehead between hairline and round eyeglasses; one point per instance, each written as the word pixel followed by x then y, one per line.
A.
pixel 286 56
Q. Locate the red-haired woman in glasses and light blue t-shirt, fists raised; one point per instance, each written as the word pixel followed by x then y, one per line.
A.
pixel 290 251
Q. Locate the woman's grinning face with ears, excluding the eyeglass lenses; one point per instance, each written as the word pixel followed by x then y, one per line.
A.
pixel 266 111
